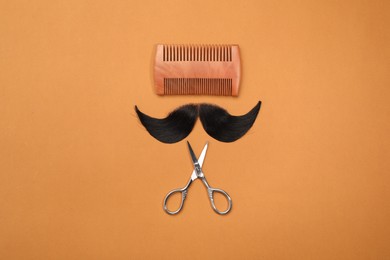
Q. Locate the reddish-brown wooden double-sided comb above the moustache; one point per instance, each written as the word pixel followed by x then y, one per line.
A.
pixel 197 70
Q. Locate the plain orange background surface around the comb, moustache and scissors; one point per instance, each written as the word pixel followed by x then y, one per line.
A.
pixel 80 178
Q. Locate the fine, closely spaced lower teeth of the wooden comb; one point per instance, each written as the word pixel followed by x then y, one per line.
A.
pixel 197 86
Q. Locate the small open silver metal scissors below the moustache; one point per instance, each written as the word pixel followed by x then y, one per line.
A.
pixel 197 173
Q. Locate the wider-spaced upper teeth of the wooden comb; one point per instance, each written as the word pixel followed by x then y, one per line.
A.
pixel 197 53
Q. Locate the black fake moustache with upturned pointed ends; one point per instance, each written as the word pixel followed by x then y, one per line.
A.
pixel 216 121
